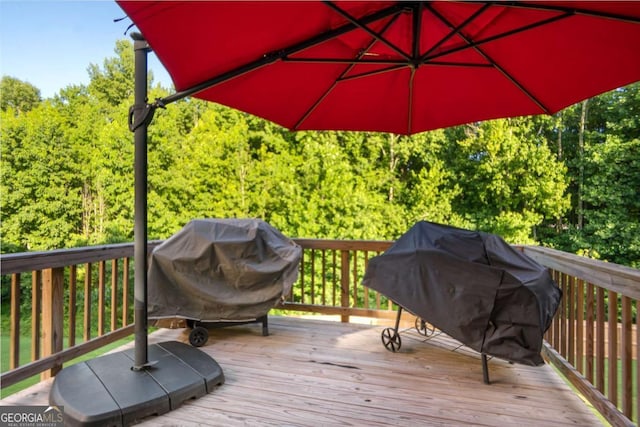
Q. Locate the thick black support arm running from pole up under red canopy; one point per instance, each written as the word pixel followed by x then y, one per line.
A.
pixel 283 53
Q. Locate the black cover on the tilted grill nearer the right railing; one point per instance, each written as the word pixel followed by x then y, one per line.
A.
pixel 471 285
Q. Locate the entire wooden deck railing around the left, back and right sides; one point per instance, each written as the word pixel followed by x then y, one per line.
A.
pixel 56 290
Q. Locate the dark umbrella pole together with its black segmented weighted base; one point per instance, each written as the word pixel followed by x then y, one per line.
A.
pixel 111 393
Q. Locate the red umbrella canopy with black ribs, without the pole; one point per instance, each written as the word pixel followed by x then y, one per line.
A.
pixel 401 67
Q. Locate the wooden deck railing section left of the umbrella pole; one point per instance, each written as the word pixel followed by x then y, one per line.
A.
pixel 76 301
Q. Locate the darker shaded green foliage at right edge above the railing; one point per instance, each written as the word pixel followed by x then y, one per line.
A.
pixel 603 174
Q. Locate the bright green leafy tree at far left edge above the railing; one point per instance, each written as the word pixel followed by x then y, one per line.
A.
pixel 40 187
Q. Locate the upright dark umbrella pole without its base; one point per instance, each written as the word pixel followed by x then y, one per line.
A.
pixel 139 118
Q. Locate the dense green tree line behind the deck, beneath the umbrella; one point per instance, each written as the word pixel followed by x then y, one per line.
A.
pixel 570 180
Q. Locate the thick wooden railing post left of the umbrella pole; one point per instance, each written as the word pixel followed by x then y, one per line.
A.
pixel 52 315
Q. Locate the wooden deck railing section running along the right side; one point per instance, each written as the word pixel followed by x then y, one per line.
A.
pixel 594 336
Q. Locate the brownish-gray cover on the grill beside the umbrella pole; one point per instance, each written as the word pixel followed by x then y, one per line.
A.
pixel 221 269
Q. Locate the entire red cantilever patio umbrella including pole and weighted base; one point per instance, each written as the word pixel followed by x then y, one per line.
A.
pixel 401 67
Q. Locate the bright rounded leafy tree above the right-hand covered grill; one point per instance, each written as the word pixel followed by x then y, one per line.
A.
pixel 509 179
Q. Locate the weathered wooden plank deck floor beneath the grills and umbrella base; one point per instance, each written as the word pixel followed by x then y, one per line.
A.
pixel 324 373
